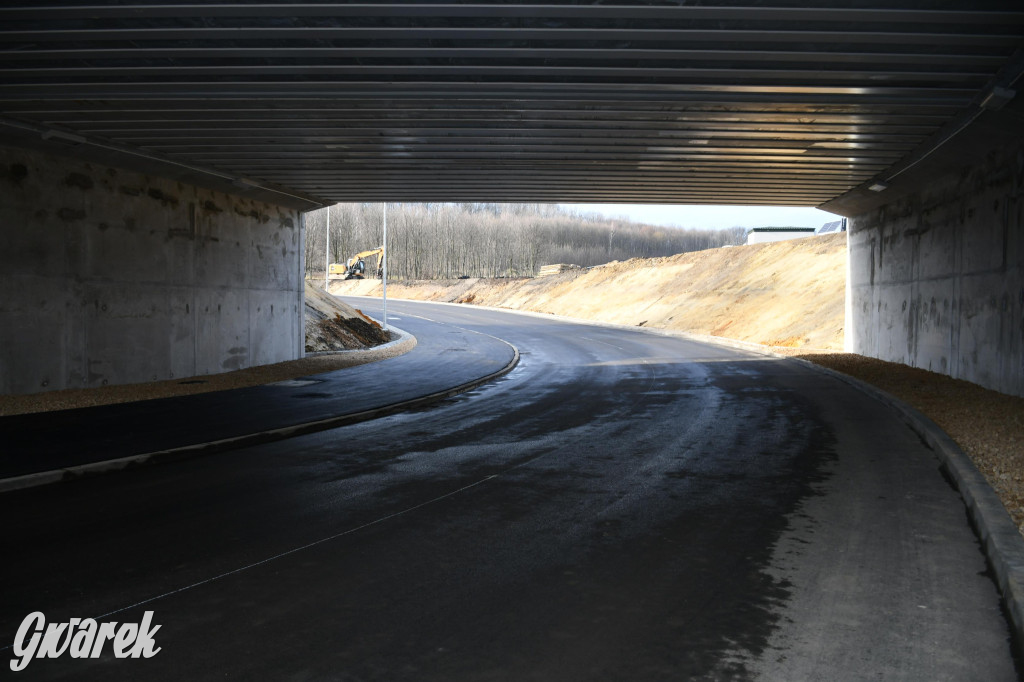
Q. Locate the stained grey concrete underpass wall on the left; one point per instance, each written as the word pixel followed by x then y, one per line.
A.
pixel 109 277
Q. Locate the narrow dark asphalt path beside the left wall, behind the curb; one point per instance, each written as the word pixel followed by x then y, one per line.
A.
pixel 53 441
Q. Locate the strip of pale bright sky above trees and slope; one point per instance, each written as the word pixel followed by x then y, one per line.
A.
pixel 713 217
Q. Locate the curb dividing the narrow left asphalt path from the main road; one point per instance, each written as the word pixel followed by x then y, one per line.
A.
pixel 271 436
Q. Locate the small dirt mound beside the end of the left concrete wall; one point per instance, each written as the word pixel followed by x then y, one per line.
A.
pixel 333 325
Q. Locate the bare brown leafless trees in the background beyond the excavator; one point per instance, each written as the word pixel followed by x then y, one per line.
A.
pixel 446 241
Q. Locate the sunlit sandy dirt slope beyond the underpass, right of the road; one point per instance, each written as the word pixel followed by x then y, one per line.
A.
pixel 782 294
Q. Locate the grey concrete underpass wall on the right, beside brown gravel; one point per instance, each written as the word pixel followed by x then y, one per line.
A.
pixel 936 278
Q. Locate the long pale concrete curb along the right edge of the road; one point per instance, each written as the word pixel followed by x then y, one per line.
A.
pixel 1002 543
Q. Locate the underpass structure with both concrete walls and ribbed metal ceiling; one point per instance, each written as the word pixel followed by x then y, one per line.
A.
pixel 198 137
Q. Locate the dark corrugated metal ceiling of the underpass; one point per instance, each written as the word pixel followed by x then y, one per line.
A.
pixel 653 103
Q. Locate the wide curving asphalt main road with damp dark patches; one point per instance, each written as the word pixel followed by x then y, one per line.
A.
pixel 623 506
